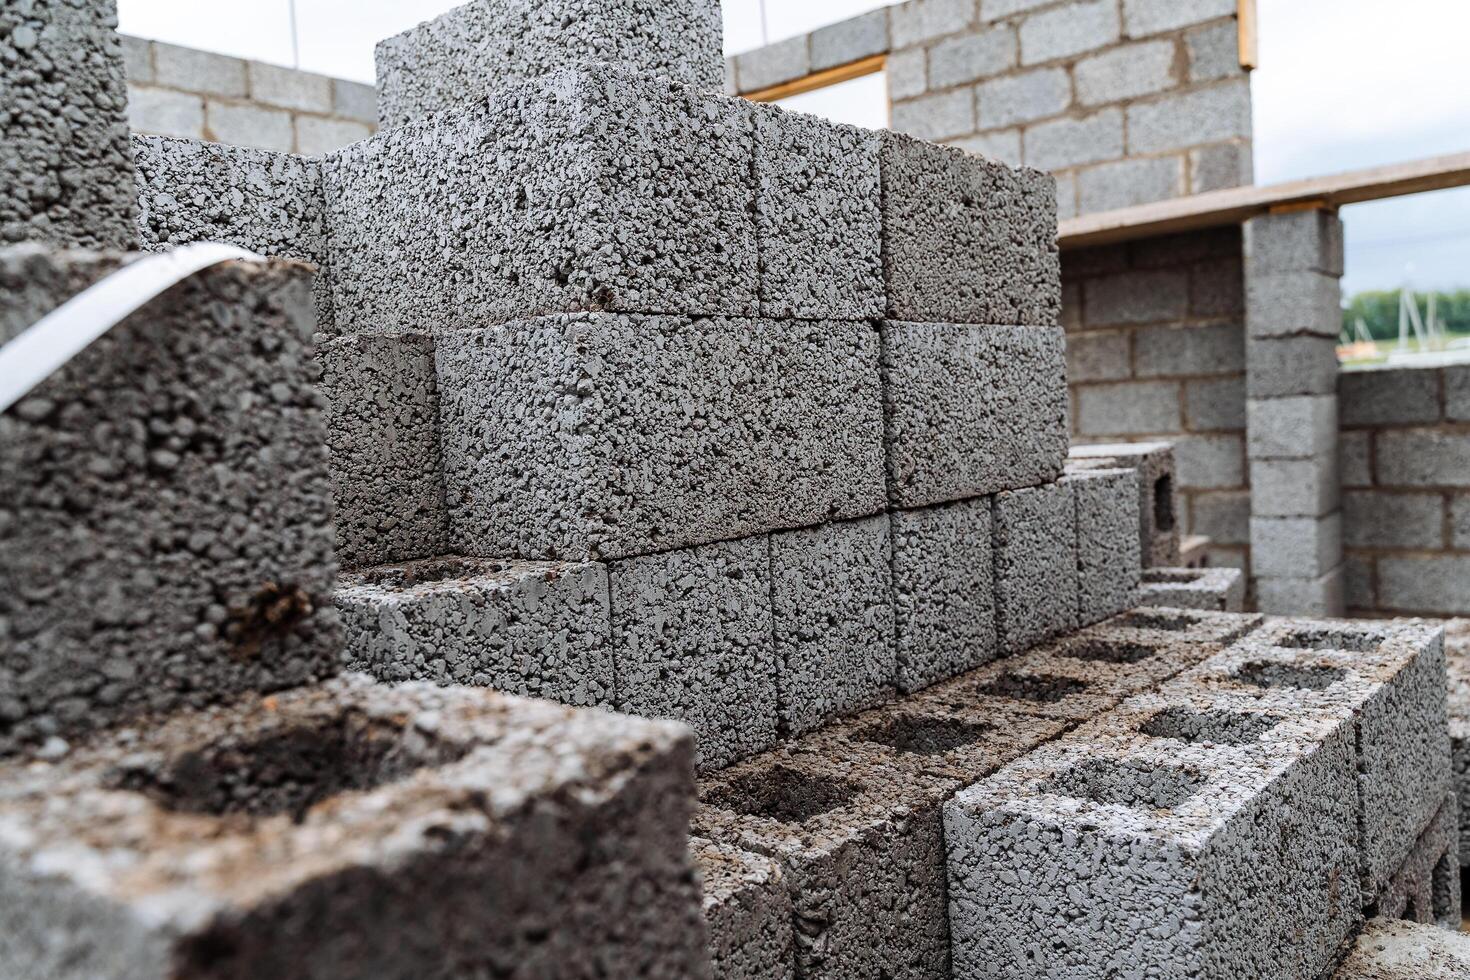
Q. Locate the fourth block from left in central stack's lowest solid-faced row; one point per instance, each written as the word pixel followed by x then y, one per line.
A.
pixel 944 593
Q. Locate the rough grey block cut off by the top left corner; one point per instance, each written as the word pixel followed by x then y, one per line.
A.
pixel 65 167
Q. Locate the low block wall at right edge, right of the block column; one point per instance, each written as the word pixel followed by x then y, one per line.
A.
pixel 1405 447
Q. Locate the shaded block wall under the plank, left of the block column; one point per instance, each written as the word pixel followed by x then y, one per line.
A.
pixel 1156 352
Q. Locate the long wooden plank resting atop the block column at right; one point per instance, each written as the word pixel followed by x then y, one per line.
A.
pixel 1238 205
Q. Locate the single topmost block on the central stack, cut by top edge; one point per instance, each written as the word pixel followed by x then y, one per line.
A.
pixel 459 57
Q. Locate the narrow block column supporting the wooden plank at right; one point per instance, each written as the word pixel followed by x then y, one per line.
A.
pixel 1293 273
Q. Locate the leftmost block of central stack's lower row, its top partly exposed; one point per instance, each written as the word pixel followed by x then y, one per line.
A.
pixel 539 630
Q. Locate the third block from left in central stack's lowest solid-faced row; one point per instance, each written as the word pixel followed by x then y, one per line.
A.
pixel 833 597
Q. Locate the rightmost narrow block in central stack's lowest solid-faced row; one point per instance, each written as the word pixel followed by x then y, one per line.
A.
pixel 1108 543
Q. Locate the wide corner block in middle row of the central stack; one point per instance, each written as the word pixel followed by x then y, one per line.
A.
pixel 611 436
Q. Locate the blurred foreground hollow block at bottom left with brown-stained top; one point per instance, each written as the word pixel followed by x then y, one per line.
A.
pixel 358 831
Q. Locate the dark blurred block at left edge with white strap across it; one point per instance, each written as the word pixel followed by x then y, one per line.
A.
pixel 165 502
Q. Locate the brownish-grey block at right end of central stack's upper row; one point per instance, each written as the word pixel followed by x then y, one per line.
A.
pixel 968 240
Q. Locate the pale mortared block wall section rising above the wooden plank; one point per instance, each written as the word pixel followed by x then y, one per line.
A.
pixel 1127 102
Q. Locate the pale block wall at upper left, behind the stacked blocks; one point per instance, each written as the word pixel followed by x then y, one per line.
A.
pixel 182 92
